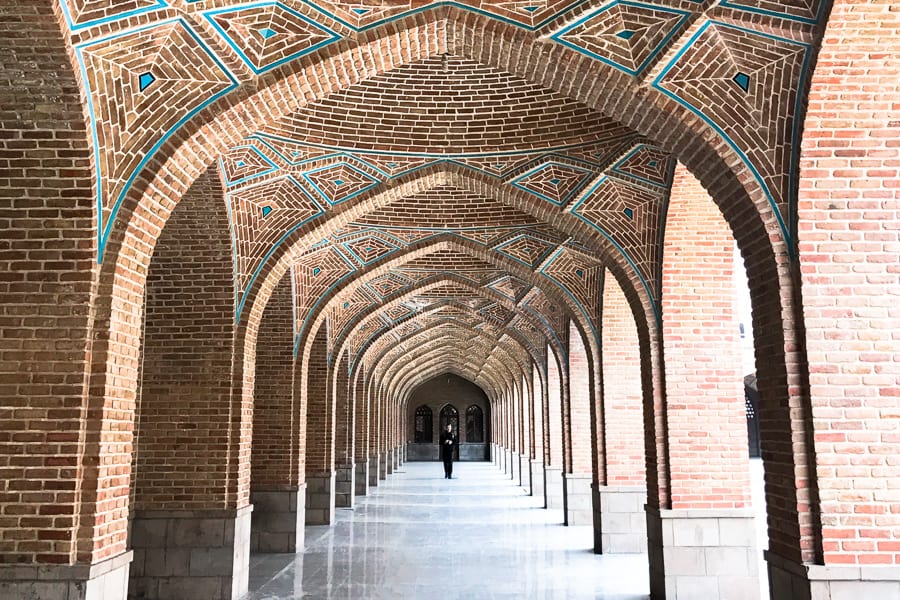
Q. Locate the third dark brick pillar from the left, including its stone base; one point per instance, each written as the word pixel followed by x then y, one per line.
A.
pixel 277 488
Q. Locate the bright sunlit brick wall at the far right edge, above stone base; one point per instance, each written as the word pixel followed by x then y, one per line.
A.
pixel 849 243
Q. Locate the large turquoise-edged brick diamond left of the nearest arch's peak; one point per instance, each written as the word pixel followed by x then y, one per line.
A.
pixel 268 34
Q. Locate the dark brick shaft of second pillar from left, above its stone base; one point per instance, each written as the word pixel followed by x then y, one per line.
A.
pixel 184 423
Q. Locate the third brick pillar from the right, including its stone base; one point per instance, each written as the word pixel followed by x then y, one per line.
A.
pixel 620 523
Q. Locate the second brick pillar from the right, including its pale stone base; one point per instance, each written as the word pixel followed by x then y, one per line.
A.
pixel 702 545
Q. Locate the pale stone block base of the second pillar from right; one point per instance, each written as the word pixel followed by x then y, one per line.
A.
pixel 702 554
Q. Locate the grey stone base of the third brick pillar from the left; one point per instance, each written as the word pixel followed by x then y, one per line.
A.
pixel 277 525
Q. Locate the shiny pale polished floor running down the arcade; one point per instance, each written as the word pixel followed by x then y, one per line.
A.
pixel 476 536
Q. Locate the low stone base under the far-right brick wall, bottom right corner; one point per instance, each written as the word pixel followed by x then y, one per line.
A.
pixel 788 579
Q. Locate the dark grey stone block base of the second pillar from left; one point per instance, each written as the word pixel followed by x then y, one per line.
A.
pixel 185 555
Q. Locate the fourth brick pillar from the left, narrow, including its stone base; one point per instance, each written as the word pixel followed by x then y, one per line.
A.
pixel 319 400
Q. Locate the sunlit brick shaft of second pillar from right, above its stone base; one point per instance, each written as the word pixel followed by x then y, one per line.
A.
pixel 705 415
